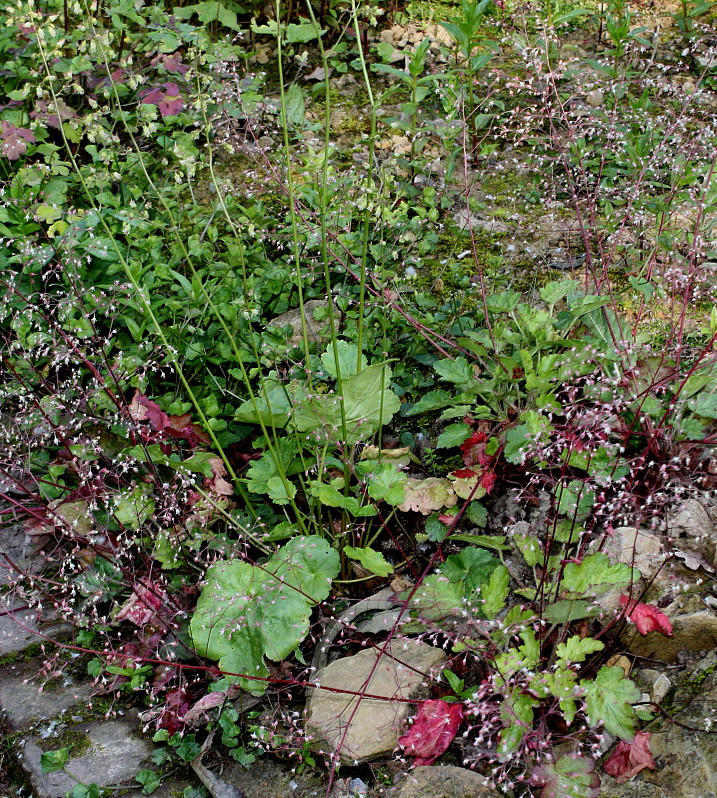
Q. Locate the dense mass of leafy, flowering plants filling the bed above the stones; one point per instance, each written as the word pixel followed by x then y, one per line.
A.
pixel 429 319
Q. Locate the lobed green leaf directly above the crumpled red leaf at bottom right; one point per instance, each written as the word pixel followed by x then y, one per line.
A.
pixel 608 700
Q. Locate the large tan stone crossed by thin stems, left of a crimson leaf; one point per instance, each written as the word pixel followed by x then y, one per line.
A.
pixel 358 728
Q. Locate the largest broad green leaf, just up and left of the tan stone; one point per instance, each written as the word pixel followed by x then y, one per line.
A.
pixel 247 612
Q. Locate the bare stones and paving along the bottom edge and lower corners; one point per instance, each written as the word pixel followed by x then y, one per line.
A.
pixel 48 703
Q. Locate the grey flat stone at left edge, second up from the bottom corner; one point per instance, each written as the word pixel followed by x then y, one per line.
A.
pixel 23 702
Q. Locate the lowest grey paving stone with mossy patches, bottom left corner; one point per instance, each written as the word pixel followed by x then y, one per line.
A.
pixel 114 754
